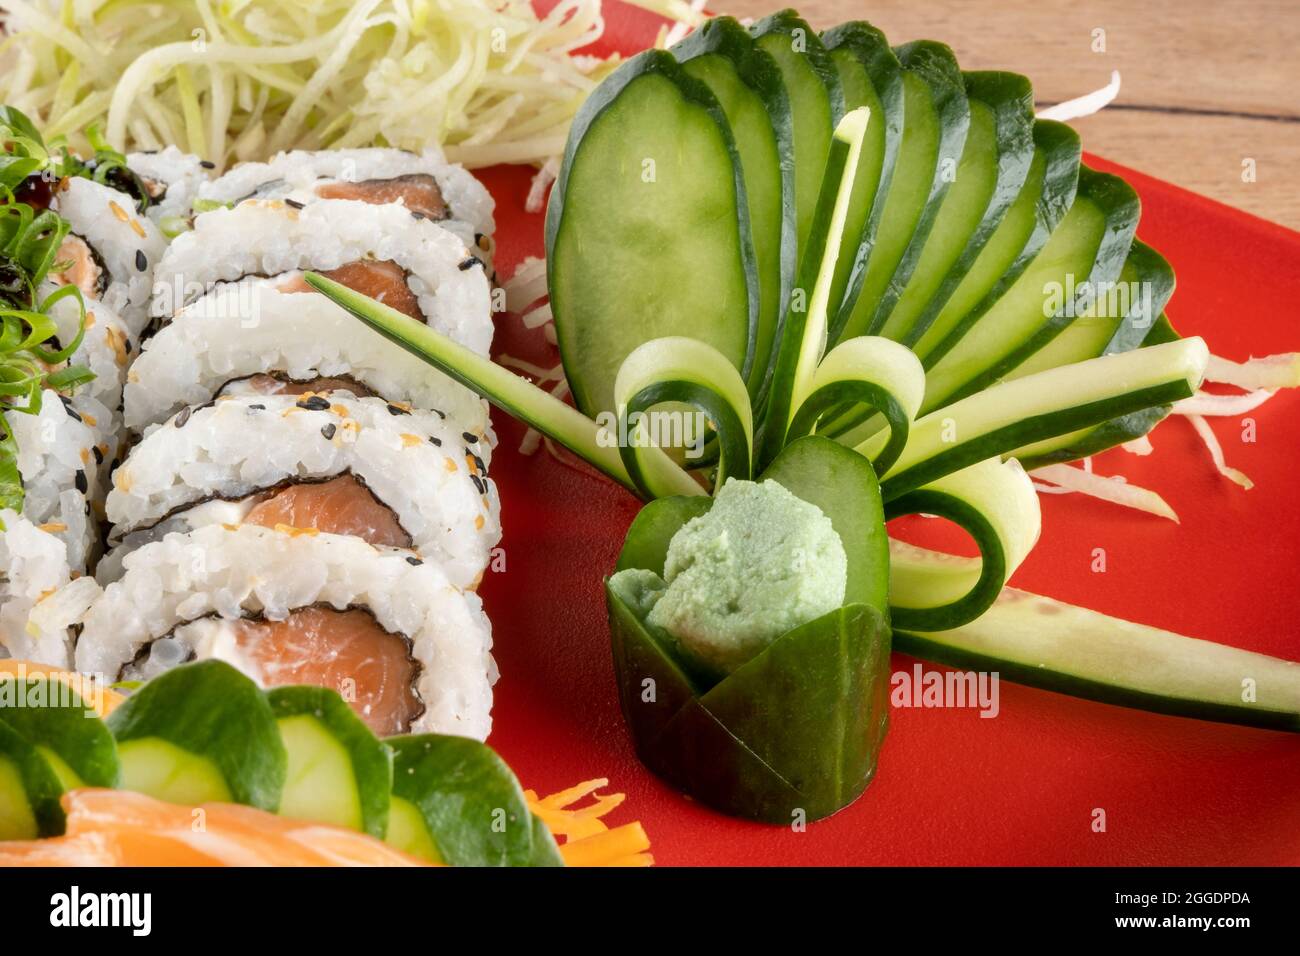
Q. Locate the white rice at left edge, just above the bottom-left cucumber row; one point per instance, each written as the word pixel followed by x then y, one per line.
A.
pixel 38 599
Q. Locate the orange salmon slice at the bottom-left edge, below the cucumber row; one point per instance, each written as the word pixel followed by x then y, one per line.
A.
pixel 109 828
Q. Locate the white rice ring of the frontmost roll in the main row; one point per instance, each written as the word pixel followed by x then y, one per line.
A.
pixel 236 573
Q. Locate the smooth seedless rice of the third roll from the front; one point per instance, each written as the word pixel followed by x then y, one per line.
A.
pixel 250 328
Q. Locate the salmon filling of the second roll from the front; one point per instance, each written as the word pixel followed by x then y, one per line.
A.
pixel 340 507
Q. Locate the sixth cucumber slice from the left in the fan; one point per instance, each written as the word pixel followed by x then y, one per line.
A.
pixel 995 165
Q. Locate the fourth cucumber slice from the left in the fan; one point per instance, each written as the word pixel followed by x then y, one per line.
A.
pixel 872 77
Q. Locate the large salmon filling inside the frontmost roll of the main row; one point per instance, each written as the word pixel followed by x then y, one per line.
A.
pixel 348 652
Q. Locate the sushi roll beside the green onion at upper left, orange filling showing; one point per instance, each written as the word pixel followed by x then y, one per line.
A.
pixel 111 252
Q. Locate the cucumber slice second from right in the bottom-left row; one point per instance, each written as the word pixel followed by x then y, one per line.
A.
pixel 339 773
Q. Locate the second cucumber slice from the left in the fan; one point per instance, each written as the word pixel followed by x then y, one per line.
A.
pixel 749 88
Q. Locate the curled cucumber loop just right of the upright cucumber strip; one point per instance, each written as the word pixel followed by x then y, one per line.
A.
pixel 870 371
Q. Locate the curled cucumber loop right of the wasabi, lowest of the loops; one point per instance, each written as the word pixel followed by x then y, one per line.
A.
pixel 996 504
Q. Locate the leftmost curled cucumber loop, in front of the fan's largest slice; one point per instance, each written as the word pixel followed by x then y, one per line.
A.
pixel 682 370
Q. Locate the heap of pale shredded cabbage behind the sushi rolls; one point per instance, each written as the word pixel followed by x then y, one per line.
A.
pixel 241 80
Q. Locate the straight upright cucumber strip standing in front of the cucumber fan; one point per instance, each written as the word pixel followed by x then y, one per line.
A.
pixel 804 336
